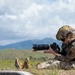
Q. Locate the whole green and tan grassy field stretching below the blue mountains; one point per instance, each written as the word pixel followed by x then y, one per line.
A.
pixel 7 60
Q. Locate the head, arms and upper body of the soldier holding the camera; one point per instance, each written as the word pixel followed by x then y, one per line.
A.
pixel 68 44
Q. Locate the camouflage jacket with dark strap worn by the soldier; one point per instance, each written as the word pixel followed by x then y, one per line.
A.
pixel 68 51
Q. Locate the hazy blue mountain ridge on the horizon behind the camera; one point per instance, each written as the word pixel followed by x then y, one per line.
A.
pixel 29 43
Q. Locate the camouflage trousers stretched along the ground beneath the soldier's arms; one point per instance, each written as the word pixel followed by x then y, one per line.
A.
pixel 56 64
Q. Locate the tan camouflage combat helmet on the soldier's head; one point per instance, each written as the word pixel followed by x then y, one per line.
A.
pixel 62 32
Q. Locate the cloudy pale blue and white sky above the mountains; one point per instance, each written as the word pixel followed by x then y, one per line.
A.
pixel 34 19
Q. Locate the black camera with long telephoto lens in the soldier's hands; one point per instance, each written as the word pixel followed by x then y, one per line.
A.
pixel 39 47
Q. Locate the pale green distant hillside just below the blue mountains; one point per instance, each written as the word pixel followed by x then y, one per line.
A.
pixel 11 54
